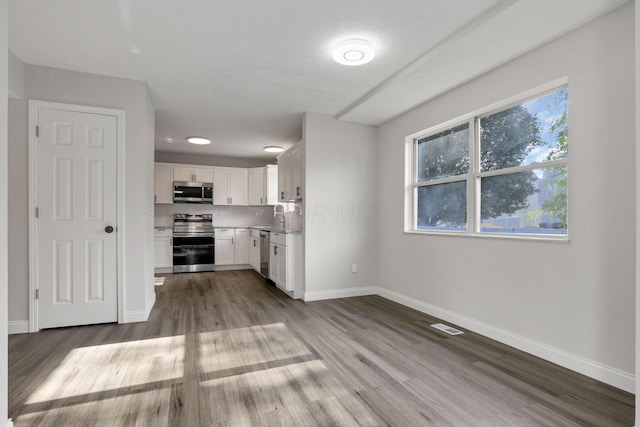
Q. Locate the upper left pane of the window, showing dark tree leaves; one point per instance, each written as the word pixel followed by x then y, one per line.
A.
pixel 444 154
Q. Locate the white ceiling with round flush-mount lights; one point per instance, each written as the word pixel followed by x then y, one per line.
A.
pixel 243 72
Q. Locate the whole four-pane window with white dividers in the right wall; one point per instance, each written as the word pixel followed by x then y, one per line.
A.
pixel 517 183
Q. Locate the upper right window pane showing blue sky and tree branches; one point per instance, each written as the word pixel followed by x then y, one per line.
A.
pixel 532 132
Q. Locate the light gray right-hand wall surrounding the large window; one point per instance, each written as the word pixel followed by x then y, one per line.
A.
pixel 570 302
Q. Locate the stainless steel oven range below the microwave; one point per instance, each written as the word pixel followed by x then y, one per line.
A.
pixel 193 243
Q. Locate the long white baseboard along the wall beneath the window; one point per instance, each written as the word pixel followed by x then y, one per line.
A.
pixel 590 368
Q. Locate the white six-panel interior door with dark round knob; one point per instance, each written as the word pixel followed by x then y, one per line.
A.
pixel 77 251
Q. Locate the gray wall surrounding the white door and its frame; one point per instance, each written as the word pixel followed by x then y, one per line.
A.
pixel 49 84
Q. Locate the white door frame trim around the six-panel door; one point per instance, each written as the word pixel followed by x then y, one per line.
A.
pixel 34 106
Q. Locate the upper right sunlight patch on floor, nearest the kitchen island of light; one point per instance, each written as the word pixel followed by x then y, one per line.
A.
pixel 234 348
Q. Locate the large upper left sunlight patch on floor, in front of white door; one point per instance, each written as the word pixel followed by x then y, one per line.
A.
pixel 120 364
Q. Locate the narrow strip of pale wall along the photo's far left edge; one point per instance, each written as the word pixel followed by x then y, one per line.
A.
pixel 4 393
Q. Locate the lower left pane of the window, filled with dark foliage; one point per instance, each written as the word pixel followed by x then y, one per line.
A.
pixel 443 207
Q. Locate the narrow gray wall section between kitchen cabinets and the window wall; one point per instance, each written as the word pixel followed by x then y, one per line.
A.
pixel 340 207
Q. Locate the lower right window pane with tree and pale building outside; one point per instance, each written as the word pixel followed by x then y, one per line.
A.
pixel 531 202
